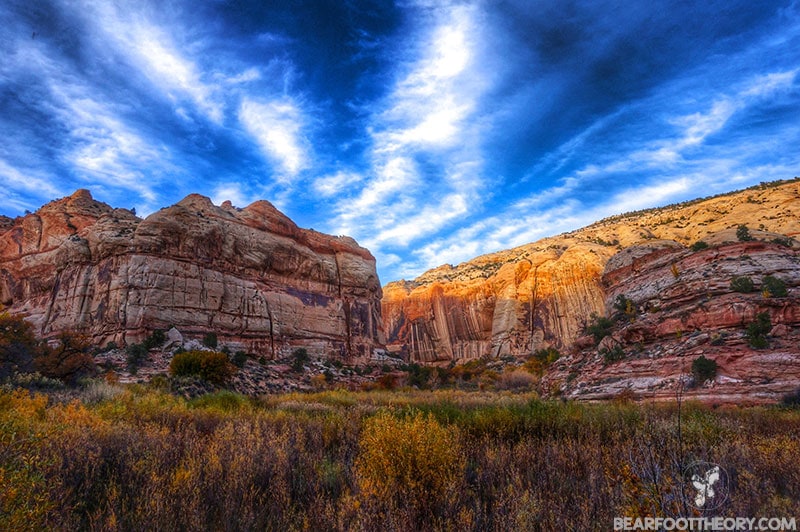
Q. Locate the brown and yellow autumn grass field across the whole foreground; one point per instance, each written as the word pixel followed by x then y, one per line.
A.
pixel 136 458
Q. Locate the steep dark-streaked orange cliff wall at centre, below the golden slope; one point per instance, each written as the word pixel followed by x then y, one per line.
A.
pixel 537 299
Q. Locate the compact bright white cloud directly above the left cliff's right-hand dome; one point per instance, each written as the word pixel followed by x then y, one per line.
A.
pixel 276 127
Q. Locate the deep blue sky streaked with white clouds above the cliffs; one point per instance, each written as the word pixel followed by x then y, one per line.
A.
pixel 430 131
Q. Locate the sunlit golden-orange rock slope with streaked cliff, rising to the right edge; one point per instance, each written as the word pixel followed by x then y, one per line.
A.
pixel 541 294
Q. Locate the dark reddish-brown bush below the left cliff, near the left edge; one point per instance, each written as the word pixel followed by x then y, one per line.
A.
pixel 68 361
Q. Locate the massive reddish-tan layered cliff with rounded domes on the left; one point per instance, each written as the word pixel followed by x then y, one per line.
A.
pixel 249 275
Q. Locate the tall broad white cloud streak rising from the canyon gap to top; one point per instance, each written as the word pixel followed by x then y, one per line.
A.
pixel 425 142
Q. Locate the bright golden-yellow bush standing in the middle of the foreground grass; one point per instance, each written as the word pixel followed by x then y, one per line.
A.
pixel 414 460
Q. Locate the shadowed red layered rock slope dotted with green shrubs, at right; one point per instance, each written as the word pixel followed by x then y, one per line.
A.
pixel 682 307
